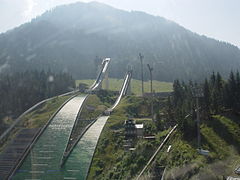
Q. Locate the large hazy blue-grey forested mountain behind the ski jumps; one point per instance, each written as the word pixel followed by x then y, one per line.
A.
pixel 68 38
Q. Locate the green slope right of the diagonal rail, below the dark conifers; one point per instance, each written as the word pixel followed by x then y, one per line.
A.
pixel 183 162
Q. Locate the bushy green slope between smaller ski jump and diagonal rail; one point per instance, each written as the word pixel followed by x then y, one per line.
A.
pixel 110 160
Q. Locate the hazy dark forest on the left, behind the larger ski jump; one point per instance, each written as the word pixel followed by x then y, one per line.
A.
pixel 19 91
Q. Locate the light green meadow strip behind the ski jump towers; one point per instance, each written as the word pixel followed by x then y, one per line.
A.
pixel 115 85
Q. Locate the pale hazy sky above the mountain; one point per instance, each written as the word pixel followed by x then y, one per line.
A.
pixel 219 19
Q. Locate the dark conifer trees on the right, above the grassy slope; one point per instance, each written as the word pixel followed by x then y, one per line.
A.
pixel 216 96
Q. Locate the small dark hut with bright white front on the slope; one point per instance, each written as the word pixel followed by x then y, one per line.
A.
pixel 132 129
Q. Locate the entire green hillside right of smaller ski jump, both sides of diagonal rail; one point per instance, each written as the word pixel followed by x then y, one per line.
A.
pixel 220 136
